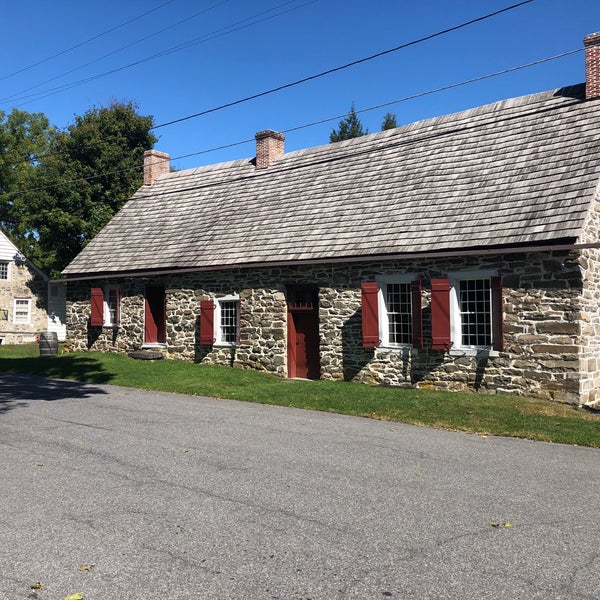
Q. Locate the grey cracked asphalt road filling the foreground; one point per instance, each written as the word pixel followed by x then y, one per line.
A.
pixel 123 494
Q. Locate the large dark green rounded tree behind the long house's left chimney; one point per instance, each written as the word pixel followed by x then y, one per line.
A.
pixel 92 168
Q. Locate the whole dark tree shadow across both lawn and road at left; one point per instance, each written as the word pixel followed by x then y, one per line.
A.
pixel 26 379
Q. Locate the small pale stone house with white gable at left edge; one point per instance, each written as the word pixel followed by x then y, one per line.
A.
pixel 23 296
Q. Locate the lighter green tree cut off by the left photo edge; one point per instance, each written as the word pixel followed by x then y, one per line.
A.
pixel 24 138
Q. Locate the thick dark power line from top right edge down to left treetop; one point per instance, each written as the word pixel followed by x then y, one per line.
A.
pixel 346 66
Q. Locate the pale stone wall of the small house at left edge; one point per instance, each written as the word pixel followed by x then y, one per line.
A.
pixel 23 282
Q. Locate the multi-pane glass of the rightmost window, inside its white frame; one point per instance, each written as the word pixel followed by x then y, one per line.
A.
pixel 475 312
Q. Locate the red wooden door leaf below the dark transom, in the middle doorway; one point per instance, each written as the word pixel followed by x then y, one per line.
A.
pixel 303 355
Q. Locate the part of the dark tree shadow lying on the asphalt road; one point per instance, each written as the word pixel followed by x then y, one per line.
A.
pixel 18 390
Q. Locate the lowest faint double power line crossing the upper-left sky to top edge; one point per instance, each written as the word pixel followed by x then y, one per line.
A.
pixel 204 38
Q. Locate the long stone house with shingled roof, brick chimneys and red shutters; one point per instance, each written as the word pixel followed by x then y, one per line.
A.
pixel 460 252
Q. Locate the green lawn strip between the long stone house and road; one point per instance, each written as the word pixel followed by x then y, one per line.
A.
pixel 478 413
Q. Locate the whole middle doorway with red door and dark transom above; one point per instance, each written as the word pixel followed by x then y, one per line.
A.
pixel 303 332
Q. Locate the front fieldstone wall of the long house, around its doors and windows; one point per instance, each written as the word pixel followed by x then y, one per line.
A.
pixel 543 323
